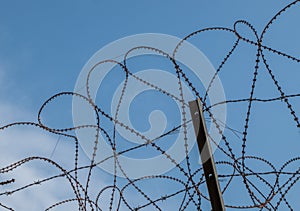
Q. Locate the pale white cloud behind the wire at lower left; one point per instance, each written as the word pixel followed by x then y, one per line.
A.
pixel 19 142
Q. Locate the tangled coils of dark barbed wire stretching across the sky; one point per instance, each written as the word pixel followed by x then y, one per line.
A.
pixel 185 184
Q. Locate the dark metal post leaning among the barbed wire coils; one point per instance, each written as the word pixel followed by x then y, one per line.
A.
pixel 207 159
